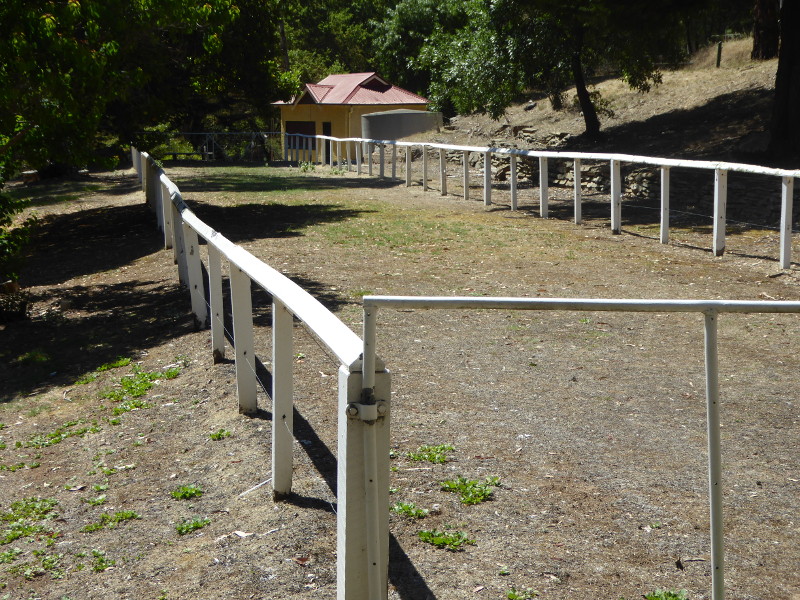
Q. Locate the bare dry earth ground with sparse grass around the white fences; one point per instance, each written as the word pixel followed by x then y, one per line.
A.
pixel 594 423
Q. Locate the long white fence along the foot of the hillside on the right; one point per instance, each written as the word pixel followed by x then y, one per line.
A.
pixel 298 147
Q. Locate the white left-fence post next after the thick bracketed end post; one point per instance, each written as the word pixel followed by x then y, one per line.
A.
pixel 282 402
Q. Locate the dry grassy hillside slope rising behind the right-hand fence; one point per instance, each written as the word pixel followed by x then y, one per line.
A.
pixel 699 111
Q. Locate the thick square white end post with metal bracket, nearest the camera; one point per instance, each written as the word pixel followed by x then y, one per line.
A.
pixel 353 571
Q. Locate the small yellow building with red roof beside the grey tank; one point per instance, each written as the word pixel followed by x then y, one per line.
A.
pixel 335 105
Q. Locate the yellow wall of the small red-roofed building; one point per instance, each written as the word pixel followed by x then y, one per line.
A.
pixel 345 120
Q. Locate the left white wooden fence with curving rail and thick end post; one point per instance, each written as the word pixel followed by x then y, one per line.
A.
pixel 363 430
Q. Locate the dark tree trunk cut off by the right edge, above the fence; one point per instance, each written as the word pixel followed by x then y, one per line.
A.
pixel 785 125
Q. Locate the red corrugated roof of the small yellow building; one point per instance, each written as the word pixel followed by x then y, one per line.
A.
pixel 357 88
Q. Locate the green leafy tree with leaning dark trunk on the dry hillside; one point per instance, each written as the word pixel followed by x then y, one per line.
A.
pixel 480 59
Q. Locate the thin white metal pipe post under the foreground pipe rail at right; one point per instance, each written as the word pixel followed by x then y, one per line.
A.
pixel 714 457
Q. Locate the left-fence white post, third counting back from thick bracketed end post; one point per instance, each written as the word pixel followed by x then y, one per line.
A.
pixel 242 308
